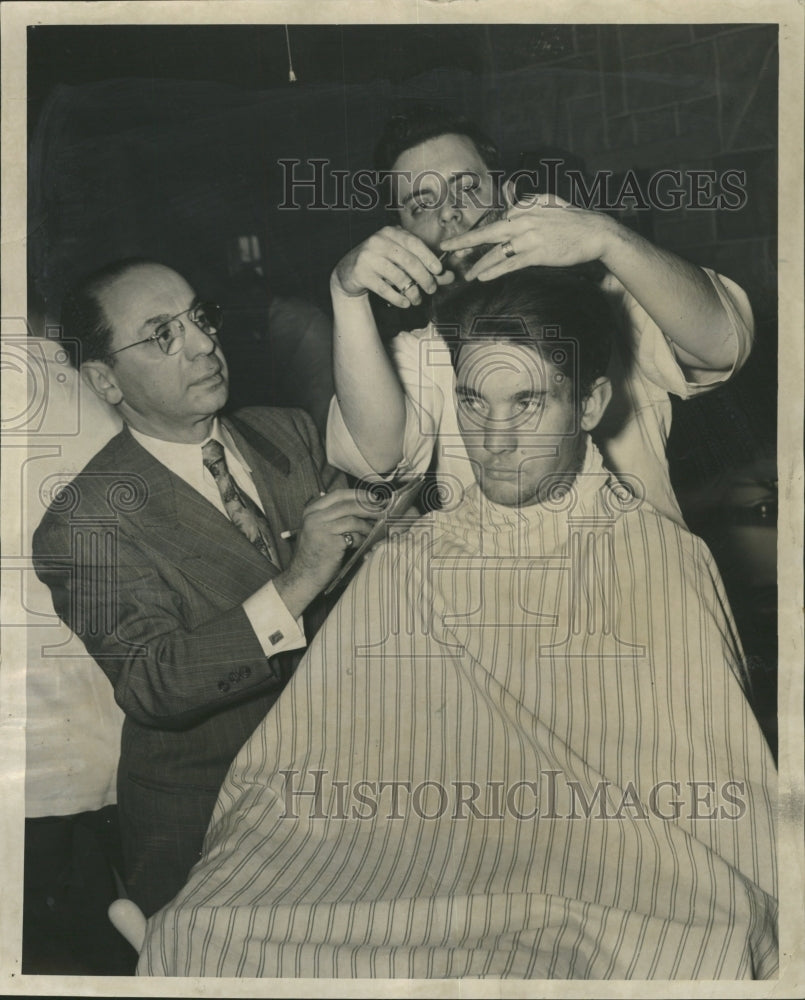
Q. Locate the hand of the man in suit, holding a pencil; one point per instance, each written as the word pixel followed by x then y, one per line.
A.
pixel 320 544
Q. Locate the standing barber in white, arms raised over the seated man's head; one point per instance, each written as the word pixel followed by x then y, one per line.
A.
pixel 686 329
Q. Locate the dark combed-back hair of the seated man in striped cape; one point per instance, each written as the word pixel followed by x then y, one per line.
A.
pixel 541 306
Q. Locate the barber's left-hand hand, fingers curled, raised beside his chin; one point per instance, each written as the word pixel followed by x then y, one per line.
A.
pixel 394 264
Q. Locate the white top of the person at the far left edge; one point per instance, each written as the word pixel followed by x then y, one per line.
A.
pixel 72 721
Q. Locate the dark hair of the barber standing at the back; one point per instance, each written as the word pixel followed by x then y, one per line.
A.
pixel 428 121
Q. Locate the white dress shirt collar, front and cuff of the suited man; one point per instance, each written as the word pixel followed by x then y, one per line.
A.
pixel 275 627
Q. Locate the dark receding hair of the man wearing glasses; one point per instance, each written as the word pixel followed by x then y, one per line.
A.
pixel 82 316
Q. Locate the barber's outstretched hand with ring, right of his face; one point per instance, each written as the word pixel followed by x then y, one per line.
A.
pixel 544 230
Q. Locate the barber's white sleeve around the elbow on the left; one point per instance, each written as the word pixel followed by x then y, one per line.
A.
pixel 424 399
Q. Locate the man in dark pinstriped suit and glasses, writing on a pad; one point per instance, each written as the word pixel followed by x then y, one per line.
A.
pixel 166 555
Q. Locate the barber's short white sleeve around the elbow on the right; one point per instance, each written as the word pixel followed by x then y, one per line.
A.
pixel 654 352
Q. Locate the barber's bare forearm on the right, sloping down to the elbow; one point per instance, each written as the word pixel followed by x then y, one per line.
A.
pixel 676 294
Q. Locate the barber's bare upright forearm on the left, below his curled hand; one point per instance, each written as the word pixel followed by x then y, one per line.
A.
pixel 368 391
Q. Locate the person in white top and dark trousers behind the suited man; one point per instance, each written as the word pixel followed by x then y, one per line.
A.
pixel 52 425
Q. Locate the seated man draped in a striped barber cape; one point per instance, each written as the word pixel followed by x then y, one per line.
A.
pixel 520 745
